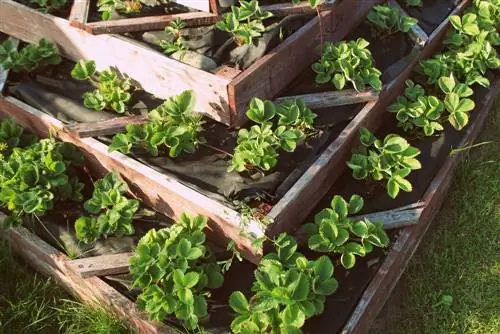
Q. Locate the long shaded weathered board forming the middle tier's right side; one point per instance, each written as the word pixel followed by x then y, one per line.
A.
pixel 312 186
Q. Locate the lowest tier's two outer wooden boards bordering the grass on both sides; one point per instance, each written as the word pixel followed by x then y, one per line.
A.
pixel 53 263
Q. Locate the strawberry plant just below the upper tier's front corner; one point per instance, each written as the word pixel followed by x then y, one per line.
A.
pixel 258 147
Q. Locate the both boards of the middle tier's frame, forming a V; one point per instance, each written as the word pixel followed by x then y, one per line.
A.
pixel 169 196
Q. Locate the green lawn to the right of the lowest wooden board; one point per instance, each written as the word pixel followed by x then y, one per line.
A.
pixel 458 257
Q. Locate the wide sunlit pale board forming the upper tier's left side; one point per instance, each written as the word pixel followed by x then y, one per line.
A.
pixel 155 73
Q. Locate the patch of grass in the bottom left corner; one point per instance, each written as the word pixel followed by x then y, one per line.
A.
pixel 30 303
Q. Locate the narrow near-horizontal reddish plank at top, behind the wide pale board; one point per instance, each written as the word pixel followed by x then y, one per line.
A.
pixel 191 19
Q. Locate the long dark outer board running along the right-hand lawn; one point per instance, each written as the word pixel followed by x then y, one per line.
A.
pixel 387 276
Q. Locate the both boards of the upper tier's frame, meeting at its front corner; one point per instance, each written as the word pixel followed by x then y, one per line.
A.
pixel 223 96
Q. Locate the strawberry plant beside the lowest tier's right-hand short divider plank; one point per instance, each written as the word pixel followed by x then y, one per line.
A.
pixel 334 232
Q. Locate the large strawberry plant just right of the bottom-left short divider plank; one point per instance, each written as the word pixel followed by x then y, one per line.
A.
pixel 175 271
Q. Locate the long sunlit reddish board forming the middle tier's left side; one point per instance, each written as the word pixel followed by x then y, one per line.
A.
pixel 161 192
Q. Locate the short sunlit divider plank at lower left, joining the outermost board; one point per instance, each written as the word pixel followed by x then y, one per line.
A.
pixel 103 265
